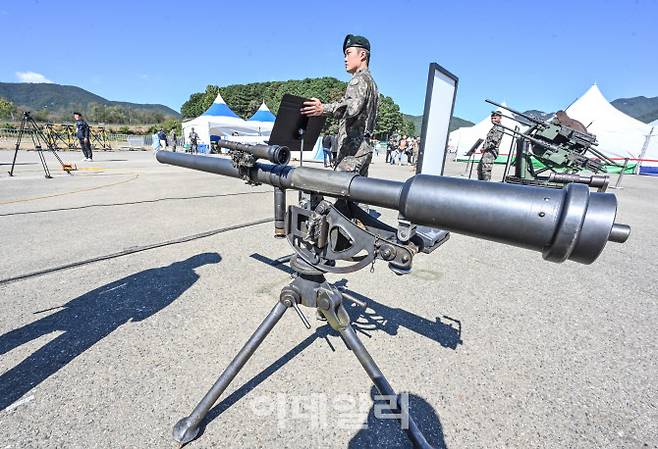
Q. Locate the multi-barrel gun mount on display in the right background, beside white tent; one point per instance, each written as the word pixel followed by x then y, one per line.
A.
pixel 562 145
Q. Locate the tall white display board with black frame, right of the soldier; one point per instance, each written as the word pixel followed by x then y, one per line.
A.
pixel 439 106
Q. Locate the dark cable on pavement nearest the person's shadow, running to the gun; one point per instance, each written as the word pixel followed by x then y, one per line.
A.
pixel 135 249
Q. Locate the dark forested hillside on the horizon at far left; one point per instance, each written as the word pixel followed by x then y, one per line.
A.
pixel 58 101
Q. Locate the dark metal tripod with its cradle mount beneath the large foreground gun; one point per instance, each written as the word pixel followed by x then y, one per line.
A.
pixel 322 234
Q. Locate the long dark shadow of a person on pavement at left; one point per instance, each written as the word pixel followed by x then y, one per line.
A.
pixel 89 318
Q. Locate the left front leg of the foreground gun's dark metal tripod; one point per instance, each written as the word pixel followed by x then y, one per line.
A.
pixel 187 428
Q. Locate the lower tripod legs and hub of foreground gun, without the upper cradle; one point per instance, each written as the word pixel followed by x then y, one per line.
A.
pixel 310 289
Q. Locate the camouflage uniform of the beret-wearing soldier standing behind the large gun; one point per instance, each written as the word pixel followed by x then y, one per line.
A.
pixel 356 113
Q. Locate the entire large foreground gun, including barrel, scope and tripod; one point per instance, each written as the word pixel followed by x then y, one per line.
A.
pixel 340 237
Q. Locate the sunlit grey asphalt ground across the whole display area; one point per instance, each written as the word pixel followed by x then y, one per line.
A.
pixel 495 347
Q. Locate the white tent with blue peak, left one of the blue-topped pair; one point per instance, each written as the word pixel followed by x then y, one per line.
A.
pixel 218 120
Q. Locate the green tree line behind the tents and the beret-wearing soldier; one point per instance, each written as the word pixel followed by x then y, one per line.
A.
pixel 245 99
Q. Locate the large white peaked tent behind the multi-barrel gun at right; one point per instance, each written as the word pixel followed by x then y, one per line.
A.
pixel 619 135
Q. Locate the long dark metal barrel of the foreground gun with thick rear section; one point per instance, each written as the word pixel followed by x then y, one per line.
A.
pixel 563 224
